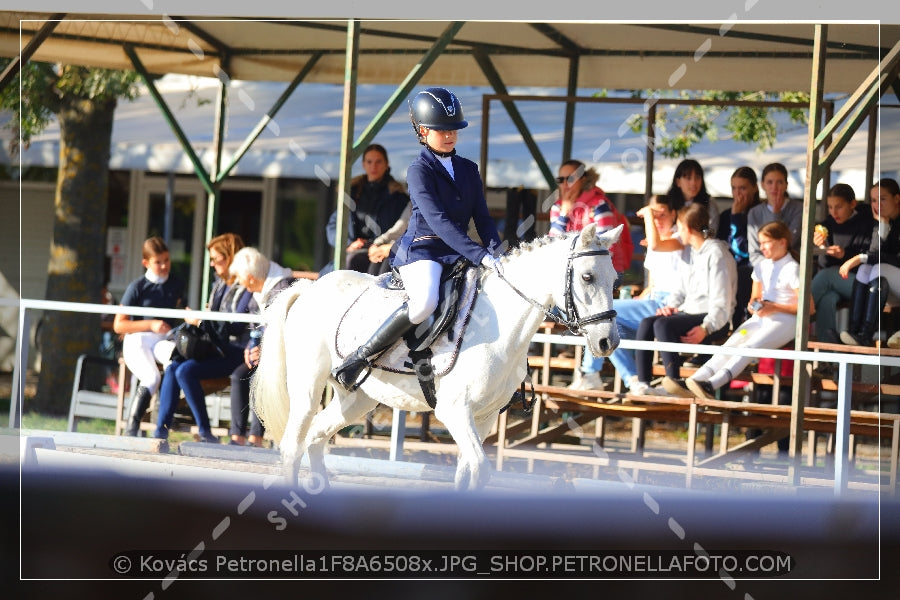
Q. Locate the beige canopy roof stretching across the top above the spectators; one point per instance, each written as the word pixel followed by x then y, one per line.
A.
pixel 735 55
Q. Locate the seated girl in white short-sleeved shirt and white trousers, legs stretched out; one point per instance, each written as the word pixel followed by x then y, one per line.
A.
pixel 773 306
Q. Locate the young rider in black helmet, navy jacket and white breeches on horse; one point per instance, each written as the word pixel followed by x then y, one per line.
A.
pixel 447 192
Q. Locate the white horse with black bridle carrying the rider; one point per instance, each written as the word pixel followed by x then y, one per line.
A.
pixel 570 276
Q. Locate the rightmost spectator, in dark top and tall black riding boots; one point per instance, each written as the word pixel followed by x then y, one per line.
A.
pixel 878 270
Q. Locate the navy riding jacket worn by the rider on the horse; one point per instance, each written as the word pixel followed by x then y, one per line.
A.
pixel 442 207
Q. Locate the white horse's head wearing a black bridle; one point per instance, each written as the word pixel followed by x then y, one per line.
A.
pixel 590 279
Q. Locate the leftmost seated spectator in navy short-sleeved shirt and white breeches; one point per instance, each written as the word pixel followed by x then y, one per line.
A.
pixel 144 343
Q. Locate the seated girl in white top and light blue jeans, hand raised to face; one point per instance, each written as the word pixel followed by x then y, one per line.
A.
pixel 662 279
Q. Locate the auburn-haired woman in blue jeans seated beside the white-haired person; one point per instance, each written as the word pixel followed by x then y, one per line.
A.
pixel 184 375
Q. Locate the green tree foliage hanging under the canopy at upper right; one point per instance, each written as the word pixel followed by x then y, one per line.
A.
pixel 679 127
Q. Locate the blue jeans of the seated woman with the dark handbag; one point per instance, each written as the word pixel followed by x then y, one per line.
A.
pixel 185 375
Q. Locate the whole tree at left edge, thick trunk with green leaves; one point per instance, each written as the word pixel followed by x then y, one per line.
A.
pixel 83 101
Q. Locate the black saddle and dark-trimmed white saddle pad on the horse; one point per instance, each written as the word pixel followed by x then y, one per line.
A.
pixel 436 340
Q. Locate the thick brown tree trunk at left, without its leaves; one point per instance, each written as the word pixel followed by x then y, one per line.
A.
pixel 75 271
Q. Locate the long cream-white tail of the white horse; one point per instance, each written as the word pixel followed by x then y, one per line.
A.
pixel 268 386
